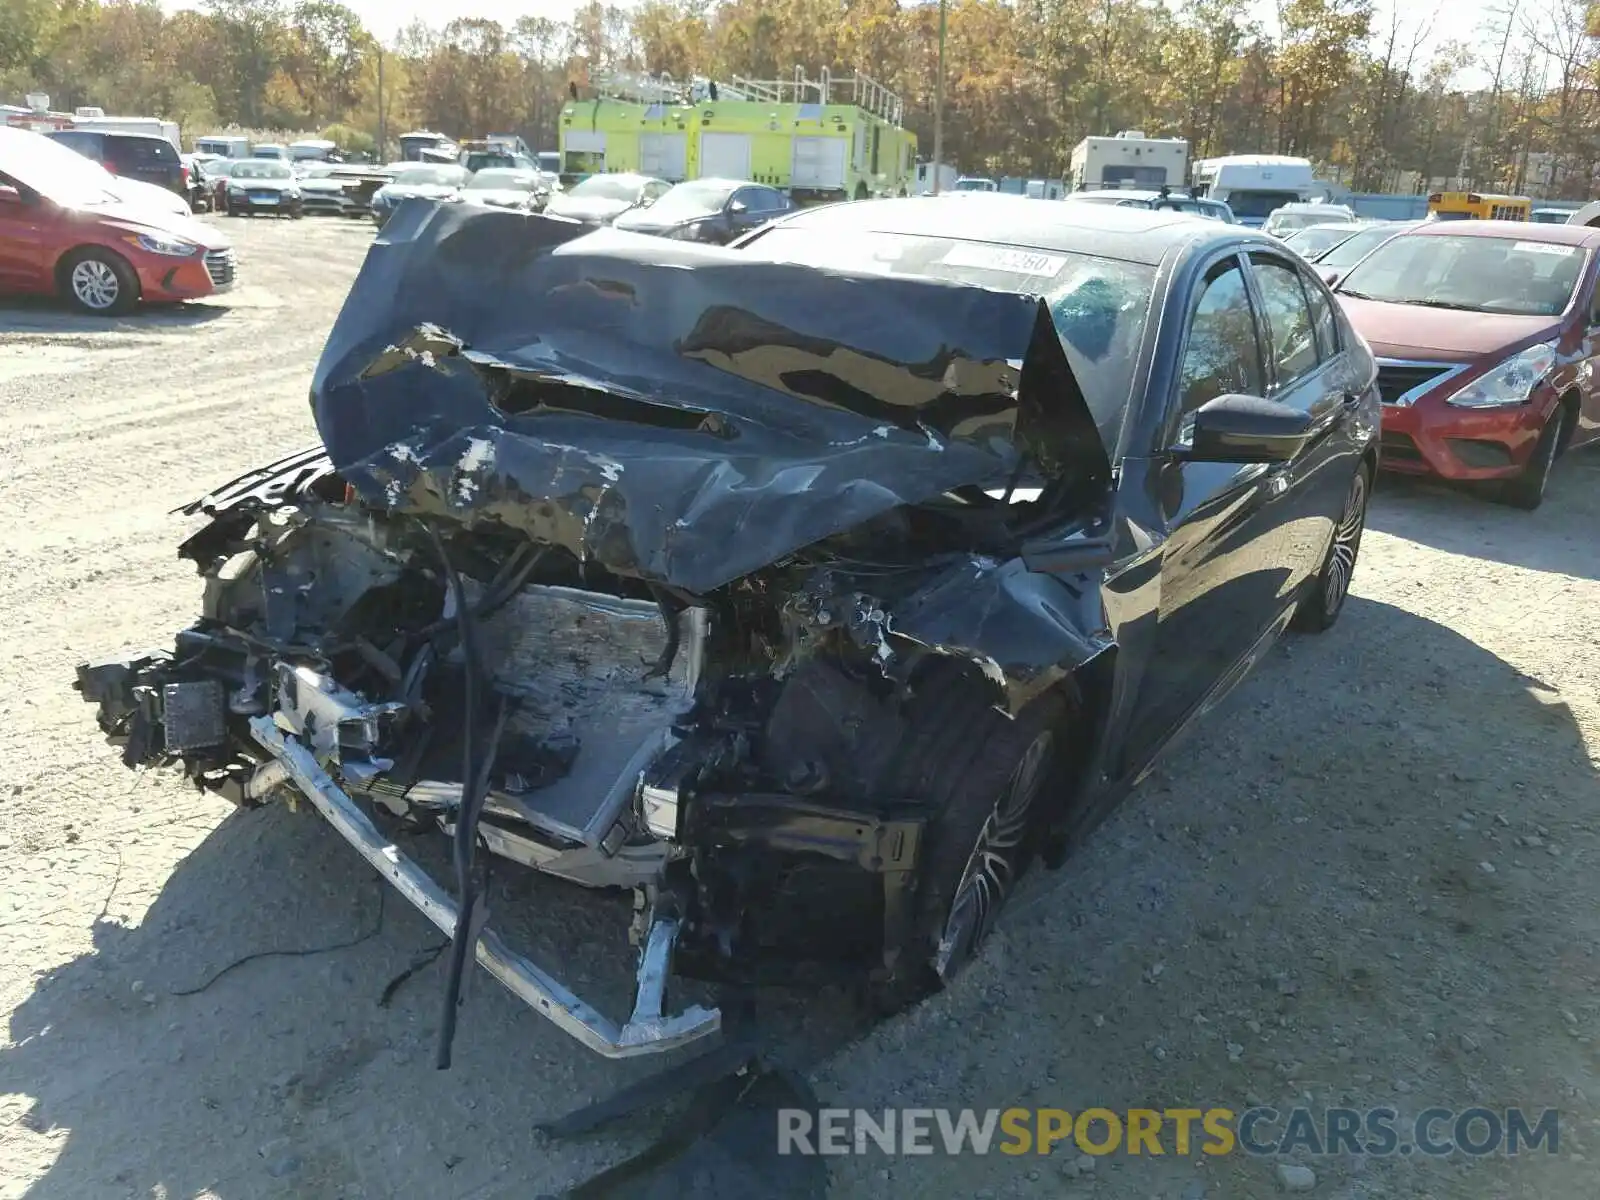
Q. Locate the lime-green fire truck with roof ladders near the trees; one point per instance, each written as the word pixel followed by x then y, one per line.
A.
pixel 818 140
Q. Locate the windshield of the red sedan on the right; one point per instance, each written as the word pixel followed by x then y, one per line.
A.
pixel 1476 274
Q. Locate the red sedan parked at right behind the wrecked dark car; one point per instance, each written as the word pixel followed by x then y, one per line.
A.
pixel 1487 337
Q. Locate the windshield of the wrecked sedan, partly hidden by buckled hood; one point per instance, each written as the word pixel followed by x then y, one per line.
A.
pixel 1098 305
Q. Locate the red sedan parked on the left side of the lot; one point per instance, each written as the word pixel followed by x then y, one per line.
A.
pixel 65 233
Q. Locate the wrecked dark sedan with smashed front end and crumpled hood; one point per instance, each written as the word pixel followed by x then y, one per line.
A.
pixel 807 588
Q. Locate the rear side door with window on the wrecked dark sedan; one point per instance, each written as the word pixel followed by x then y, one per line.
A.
pixel 1308 370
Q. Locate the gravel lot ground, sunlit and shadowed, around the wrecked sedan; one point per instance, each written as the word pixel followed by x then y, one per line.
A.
pixel 1367 881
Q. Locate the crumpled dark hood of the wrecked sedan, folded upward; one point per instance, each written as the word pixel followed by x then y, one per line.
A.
pixel 679 414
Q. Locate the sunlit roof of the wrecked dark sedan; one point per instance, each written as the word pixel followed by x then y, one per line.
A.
pixel 1110 231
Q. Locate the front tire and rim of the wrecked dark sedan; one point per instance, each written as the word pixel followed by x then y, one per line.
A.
pixel 983 777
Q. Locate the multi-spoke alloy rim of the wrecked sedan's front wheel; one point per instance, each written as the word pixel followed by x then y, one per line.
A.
pixel 993 868
